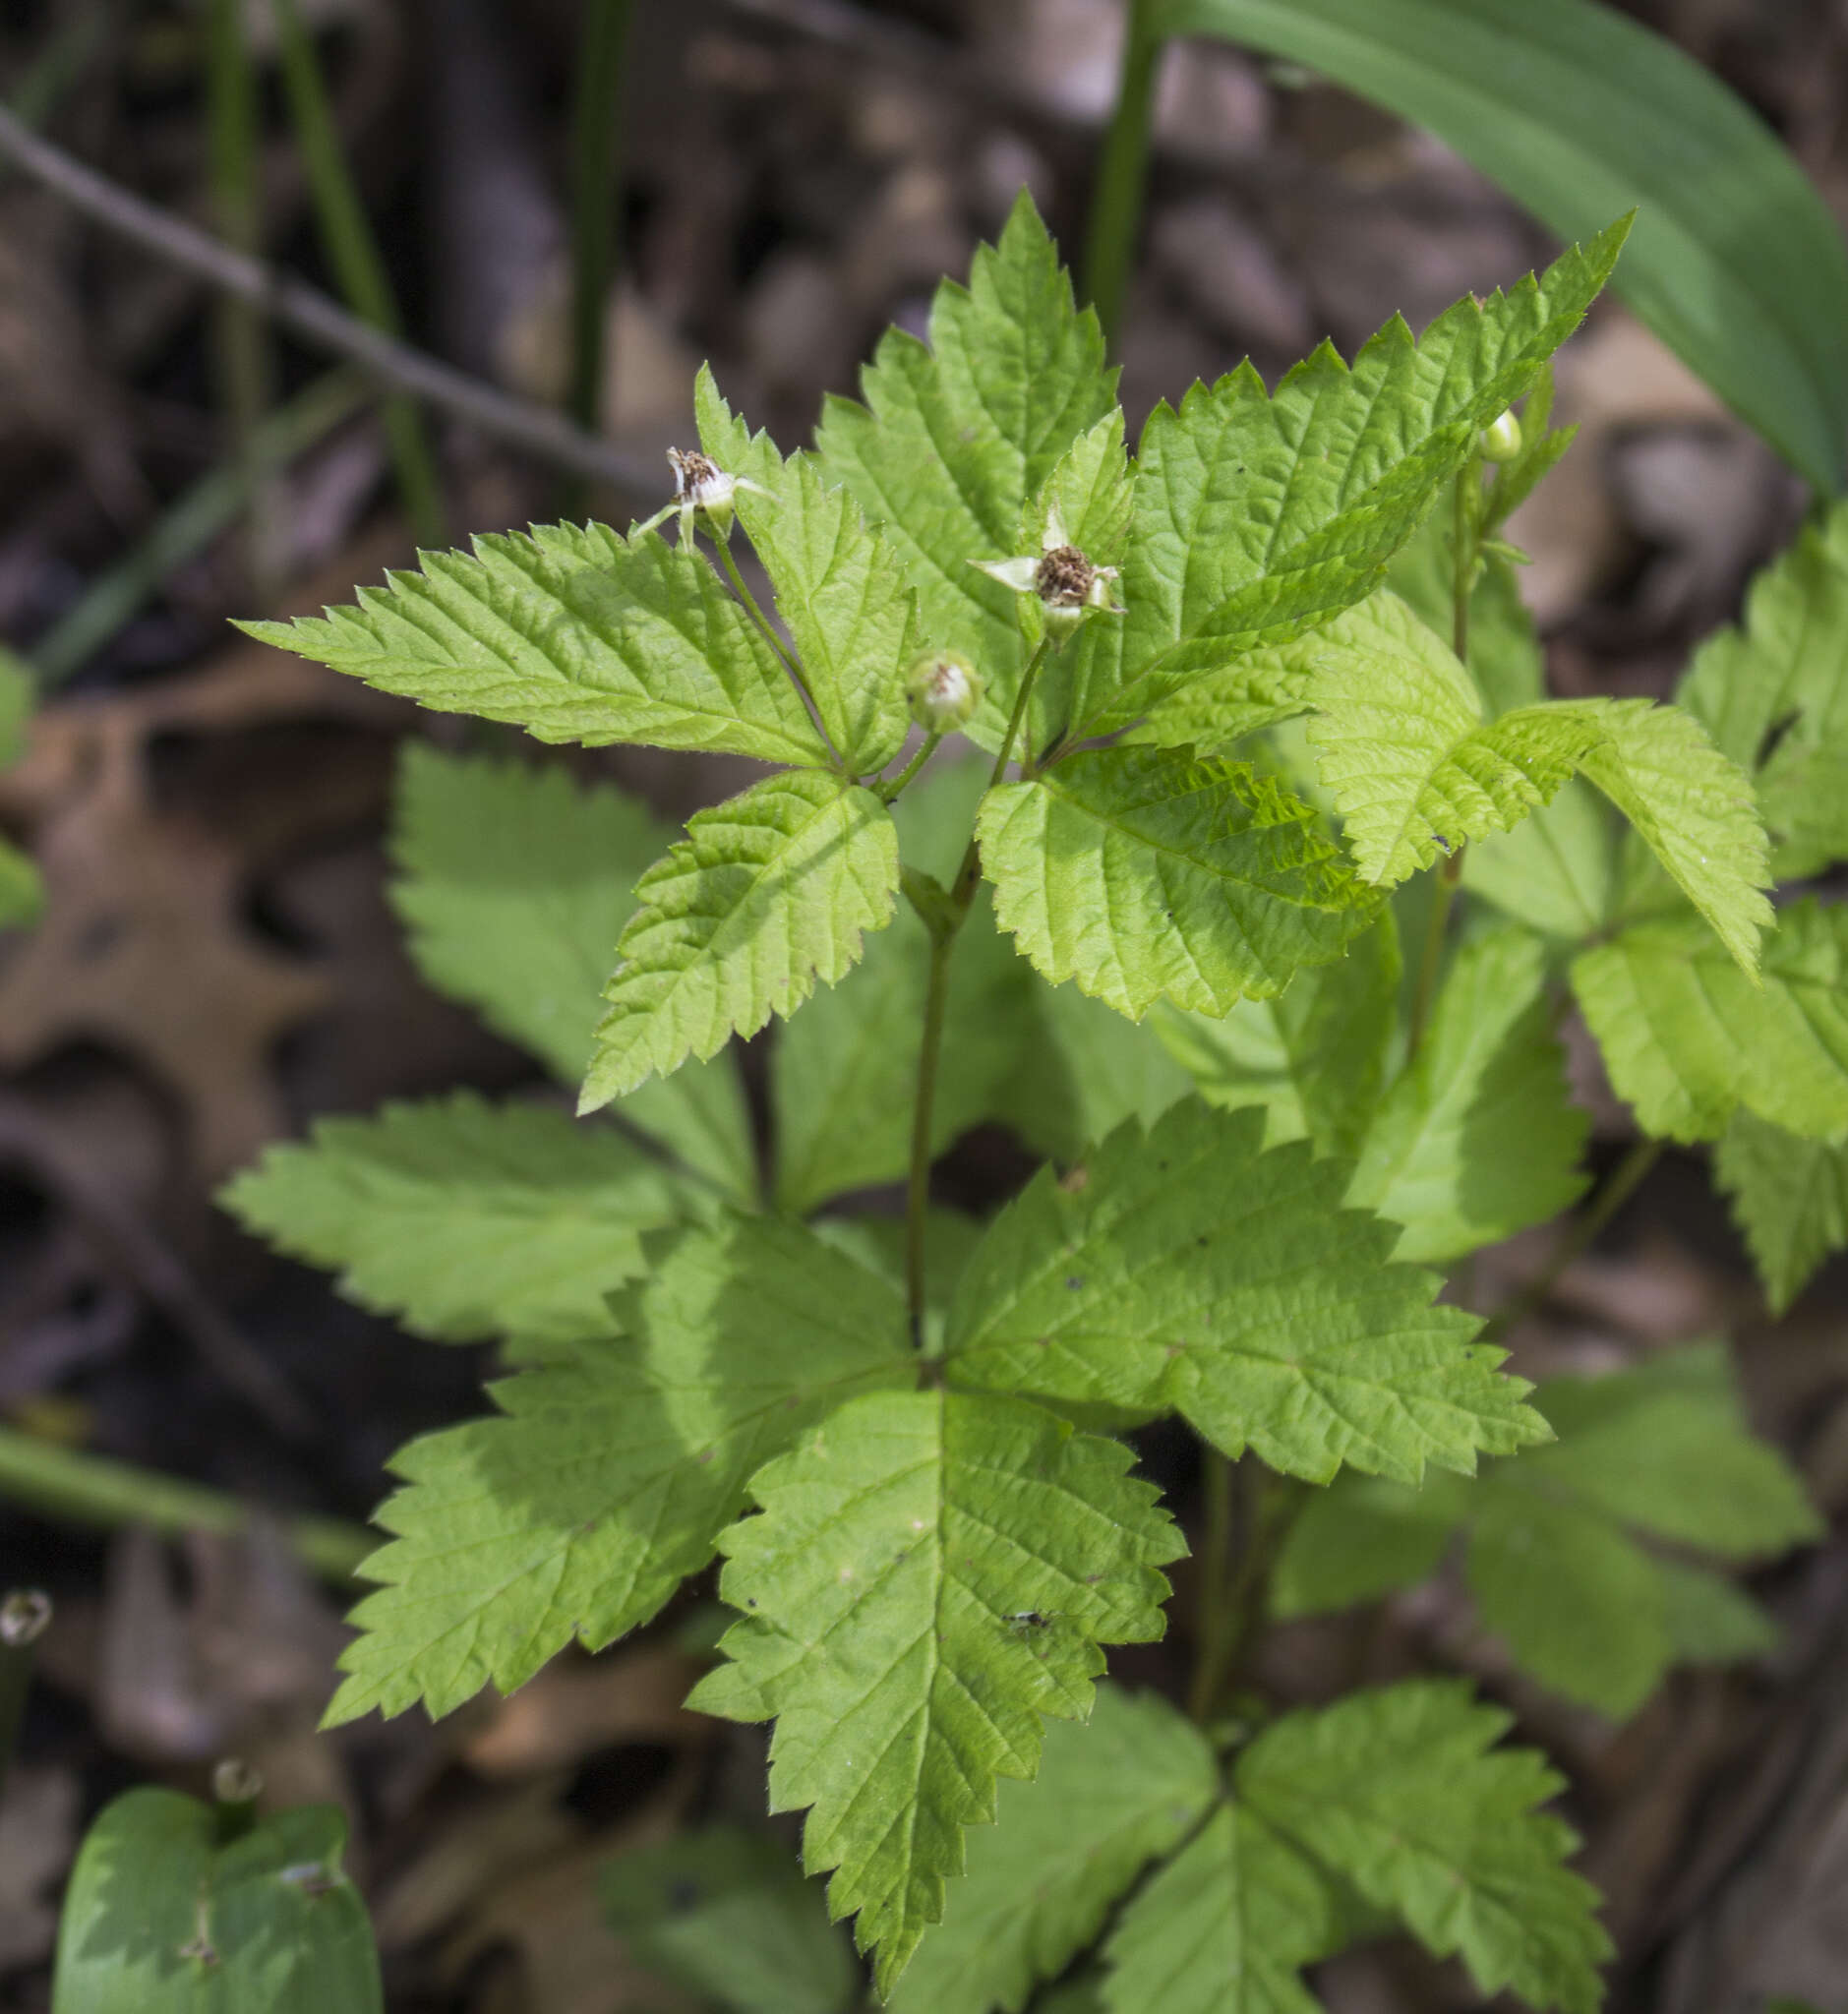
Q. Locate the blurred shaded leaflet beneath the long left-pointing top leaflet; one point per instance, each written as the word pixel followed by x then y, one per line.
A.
pixel 515 887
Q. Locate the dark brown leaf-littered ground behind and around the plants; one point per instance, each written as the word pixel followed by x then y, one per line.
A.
pixel 221 966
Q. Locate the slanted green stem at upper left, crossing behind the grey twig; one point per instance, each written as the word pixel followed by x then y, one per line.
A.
pixel 356 261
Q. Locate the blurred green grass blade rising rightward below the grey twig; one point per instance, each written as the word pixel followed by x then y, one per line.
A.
pixel 188 527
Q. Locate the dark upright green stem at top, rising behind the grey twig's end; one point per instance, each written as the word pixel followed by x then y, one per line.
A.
pixel 604 45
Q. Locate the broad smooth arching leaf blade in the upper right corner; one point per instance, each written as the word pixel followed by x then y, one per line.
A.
pixel 1581 114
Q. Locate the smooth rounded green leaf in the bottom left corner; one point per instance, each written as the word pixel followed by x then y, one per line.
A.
pixel 162 1918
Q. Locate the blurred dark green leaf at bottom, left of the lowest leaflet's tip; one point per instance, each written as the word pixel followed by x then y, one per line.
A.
pixel 729 1916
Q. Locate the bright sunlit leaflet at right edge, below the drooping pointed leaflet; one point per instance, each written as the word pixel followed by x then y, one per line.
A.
pixel 1688 1038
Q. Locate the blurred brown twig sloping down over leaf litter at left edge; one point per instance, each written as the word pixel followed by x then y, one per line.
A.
pixel 160 1276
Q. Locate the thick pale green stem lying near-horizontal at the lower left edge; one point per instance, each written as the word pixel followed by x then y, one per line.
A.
pixel 92 1489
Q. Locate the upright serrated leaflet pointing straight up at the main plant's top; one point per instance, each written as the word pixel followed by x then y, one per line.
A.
pixel 958 438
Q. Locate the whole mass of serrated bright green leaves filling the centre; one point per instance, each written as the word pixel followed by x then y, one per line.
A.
pixel 1232 742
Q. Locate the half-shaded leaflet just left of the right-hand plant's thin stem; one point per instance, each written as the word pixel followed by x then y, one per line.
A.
pixel 1315 1056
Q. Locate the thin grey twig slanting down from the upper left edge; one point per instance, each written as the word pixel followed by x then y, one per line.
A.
pixel 535 430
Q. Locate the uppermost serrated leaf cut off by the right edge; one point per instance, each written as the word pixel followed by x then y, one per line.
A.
pixel 1774 696
